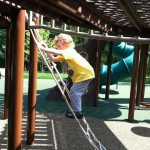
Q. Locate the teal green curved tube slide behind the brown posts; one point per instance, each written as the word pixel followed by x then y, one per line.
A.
pixel 122 69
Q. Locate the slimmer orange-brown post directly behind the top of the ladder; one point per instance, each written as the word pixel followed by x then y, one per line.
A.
pixel 32 91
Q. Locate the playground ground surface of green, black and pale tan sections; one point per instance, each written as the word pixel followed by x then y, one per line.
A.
pixel 54 131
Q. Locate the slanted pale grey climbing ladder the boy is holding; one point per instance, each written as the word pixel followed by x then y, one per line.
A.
pixel 88 132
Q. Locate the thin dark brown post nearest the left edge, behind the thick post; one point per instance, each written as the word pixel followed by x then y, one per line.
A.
pixel 7 74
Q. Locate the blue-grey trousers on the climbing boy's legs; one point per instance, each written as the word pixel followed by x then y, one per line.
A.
pixel 76 92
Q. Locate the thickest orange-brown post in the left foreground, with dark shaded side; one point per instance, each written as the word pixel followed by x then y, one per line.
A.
pixel 17 36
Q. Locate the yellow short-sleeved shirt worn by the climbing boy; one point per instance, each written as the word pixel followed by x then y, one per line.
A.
pixel 82 69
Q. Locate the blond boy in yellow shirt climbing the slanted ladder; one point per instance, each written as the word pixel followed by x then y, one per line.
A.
pixel 80 71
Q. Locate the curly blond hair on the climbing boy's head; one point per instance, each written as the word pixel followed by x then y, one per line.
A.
pixel 66 39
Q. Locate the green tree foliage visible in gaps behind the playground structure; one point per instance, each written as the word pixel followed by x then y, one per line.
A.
pixel 48 37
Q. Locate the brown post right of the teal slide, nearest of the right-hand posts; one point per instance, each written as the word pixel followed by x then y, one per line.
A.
pixel 133 83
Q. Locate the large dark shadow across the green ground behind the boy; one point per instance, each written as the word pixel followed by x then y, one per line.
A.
pixel 106 108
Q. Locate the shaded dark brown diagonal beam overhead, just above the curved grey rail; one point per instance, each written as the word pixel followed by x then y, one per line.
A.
pixel 54 11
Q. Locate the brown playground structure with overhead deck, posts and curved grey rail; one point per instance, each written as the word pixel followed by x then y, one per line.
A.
pixel 123 22
